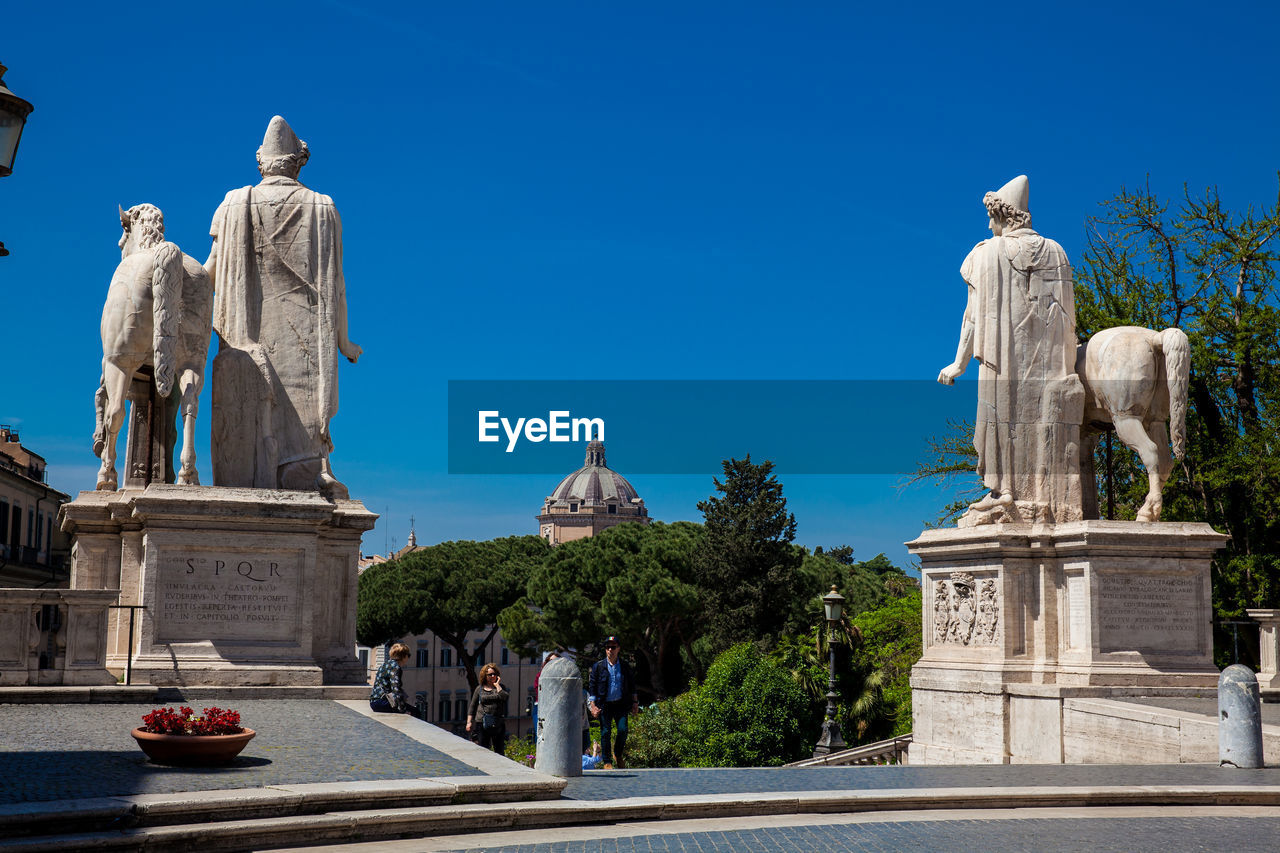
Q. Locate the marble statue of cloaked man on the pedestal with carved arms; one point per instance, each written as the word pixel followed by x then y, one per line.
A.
pixel 1021 325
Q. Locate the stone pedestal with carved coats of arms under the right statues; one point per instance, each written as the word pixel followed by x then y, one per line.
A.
pixel 1020 618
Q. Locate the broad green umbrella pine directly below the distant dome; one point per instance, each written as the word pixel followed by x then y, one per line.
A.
pixel 634 581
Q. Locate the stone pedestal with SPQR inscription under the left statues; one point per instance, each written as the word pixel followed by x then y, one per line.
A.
pixel 240 587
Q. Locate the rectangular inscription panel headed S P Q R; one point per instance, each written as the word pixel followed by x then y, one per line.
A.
pixel 220 595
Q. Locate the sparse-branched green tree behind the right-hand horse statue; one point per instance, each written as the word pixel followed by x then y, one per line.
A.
pixel 1212 272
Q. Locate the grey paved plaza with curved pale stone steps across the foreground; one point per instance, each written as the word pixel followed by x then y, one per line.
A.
pixel 331 773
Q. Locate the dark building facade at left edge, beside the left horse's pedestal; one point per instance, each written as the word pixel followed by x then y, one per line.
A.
pixel 34 553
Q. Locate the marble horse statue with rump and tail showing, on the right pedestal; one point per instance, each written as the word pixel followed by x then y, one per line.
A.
pixel 1136 380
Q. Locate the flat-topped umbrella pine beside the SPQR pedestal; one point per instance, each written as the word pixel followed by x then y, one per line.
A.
pixel 451 590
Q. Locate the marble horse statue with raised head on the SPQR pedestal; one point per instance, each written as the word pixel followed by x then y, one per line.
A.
pixel 158 314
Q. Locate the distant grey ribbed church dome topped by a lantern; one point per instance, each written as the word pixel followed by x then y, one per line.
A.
pixel 592 499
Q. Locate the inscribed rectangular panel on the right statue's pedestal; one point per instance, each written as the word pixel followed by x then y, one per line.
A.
pixel 1149 613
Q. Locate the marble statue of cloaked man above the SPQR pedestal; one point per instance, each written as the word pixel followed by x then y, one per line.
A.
pixel 281 316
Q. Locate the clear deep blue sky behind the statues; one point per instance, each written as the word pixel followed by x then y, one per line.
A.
pixel 598 191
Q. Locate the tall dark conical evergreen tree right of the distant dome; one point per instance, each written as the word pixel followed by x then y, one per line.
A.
pixel 748 568
